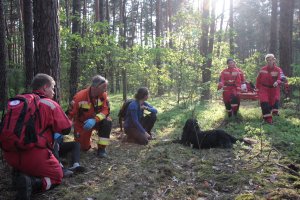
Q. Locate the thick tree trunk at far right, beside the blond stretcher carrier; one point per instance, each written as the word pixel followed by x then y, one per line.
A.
pixel 285 35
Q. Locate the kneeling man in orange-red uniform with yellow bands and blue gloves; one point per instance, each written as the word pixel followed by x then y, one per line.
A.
pixel 89 110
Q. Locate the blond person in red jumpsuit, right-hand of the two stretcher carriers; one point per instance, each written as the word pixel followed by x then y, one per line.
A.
pixel 267 83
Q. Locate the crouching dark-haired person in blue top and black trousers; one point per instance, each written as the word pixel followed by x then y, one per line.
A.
pixel 137 126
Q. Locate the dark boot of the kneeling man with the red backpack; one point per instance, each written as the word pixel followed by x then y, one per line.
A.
pixel 24 188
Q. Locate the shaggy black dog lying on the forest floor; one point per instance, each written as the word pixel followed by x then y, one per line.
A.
pixel 205 139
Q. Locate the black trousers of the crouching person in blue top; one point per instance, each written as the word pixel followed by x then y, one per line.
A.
pixel 136 136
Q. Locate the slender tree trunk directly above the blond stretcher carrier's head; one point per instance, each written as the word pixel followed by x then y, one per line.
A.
pixel 273 33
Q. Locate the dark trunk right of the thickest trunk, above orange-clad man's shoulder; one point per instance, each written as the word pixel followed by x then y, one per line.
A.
pixel 74 70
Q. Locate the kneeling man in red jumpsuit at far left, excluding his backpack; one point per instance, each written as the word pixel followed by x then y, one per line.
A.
pixel 38 167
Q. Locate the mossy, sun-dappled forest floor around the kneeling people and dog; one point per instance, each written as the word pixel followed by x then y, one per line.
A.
pixel 166 170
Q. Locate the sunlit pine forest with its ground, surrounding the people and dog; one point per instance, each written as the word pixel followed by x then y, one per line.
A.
pixel 177 49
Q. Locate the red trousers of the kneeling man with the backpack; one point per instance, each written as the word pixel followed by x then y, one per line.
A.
pixel 39 163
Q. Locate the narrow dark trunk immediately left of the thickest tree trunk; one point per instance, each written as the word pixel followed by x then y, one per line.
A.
pixel 28 39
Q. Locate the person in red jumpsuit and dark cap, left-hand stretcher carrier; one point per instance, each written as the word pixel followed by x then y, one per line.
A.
pixel 230 82
